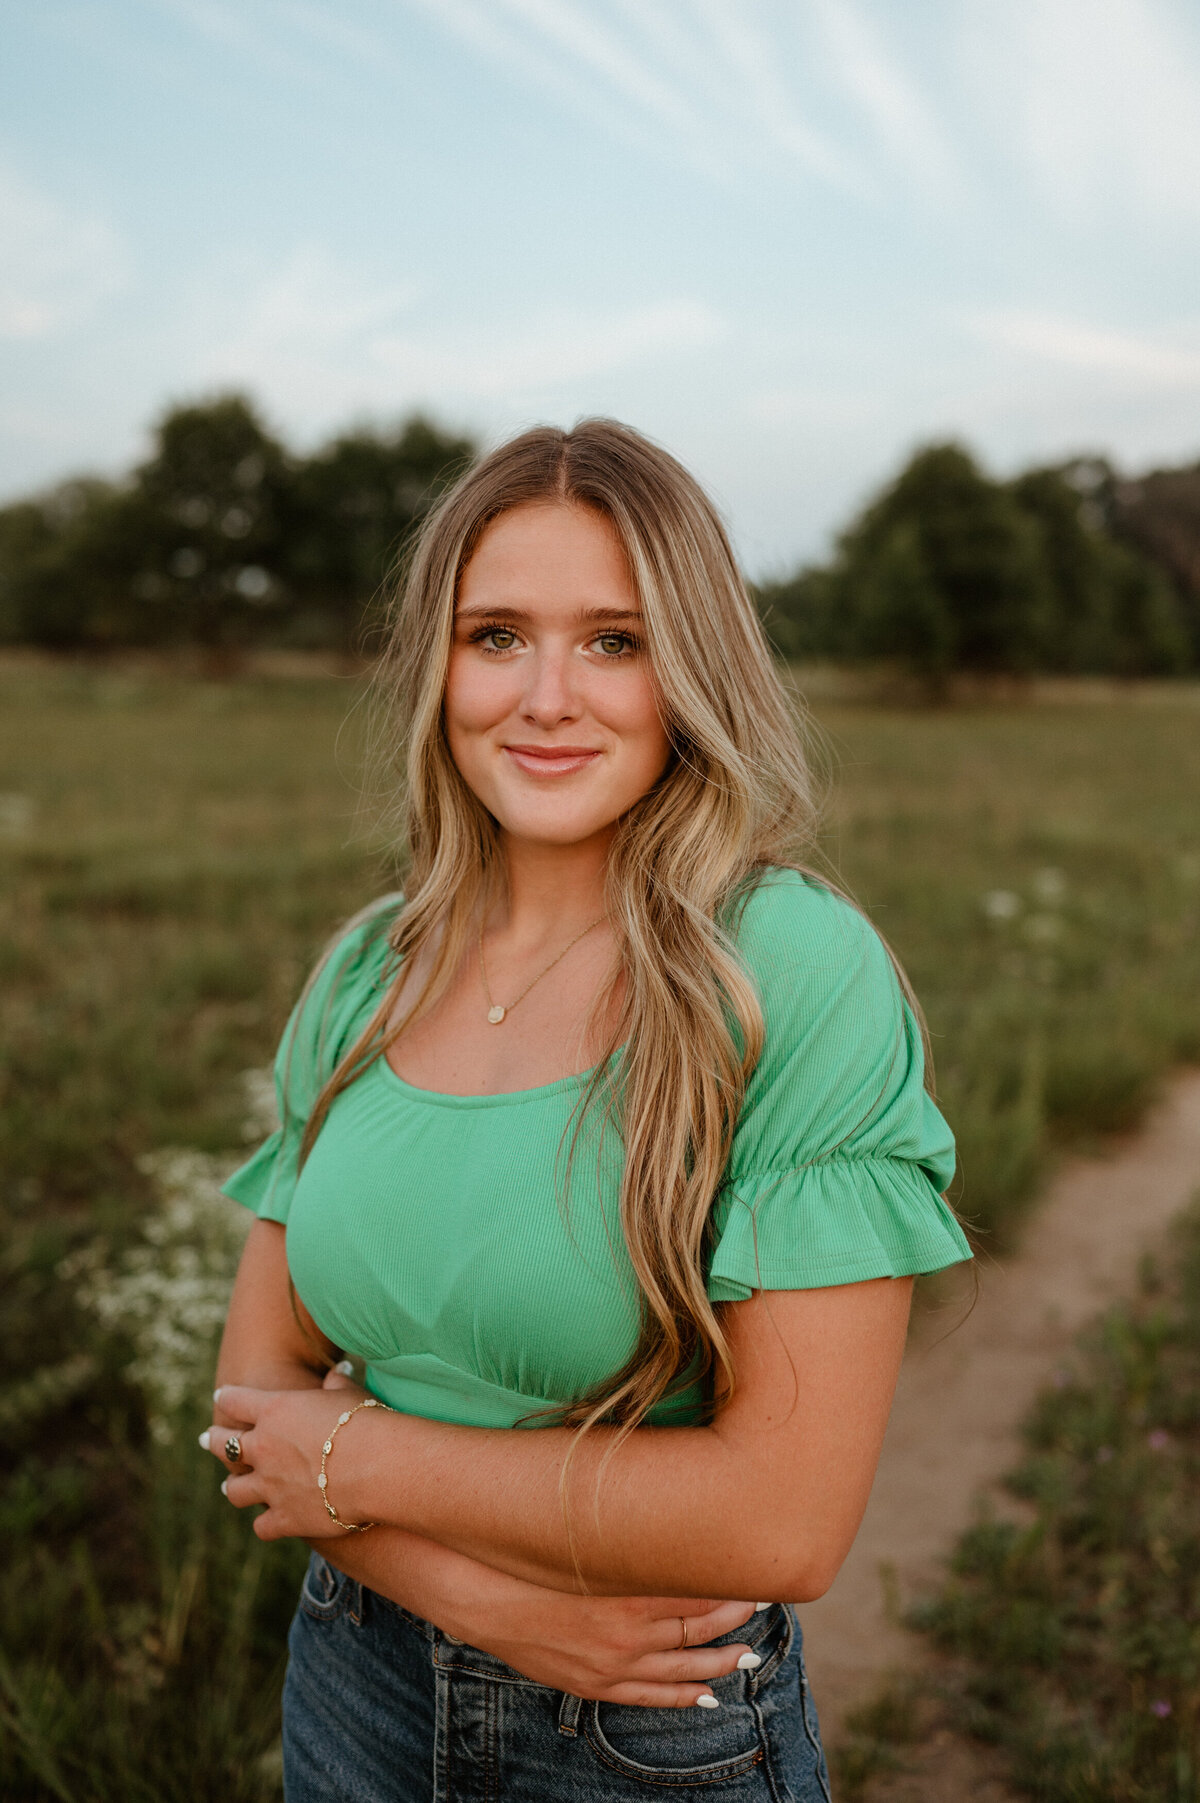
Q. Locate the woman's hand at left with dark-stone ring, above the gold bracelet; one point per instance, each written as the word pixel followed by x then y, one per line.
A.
pixel 280 1436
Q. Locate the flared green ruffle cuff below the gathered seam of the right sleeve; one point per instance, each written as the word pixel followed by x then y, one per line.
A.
pixel 835 1222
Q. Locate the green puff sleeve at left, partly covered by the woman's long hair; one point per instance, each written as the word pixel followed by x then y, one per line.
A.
pixel 334 1007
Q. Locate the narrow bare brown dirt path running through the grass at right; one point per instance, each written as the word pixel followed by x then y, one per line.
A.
pixel 963 1396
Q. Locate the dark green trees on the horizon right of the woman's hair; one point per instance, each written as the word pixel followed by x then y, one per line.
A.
pixel 1068 569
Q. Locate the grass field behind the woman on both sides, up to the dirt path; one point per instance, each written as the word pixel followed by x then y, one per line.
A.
pixel 172 857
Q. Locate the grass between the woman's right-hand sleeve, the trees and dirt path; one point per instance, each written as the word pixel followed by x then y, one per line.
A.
pixel 1051 1023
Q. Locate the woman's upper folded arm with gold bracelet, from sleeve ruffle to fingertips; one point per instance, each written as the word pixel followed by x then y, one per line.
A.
pixel 763 1503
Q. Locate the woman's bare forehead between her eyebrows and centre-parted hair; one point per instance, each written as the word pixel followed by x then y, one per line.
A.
pixel 549 554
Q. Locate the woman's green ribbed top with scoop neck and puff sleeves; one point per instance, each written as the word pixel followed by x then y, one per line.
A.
pixel 432 1234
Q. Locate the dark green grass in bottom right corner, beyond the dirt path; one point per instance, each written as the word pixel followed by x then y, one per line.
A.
pixel 1078 1627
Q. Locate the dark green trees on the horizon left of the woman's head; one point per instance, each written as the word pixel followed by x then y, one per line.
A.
pixel 223 538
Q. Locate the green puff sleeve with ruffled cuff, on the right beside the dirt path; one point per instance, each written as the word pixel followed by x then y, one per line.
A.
pixel 841 1155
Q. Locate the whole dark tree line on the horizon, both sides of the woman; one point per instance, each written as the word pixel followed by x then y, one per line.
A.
pixel 228 540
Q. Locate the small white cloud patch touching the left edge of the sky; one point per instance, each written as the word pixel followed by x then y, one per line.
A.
pixel 59 262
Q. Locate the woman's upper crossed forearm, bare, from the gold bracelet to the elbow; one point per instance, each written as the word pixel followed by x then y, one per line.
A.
pixel 675 1512
